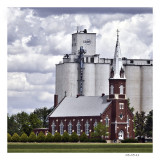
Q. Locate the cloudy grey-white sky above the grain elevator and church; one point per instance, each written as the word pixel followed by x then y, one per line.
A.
pixel 39 37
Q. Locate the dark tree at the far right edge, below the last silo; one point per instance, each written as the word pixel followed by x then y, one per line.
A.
pixel 149 124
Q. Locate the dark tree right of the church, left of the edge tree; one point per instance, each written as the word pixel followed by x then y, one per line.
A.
pixel 139 124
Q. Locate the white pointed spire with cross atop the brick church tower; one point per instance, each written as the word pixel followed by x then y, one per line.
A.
pixel 117 61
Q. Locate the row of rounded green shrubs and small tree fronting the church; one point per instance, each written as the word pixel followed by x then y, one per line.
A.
pixel 100 131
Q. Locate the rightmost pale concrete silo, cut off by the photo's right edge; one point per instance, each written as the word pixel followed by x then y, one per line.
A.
pixel 147 88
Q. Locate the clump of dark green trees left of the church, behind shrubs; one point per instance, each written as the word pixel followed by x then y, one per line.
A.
pixel 25 123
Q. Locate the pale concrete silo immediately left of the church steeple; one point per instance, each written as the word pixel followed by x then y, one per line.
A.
pixel 102 73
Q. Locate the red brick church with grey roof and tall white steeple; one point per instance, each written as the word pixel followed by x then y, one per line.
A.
pixel 82 113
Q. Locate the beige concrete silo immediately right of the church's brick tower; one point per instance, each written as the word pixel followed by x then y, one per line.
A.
pixel 133 86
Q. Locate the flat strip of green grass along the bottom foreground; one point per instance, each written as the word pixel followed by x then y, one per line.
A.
pixel 79 148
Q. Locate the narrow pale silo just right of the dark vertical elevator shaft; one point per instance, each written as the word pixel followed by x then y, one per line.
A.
pixel 89 79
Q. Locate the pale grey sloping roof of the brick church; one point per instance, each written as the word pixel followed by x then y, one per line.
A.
pixel 81 106
